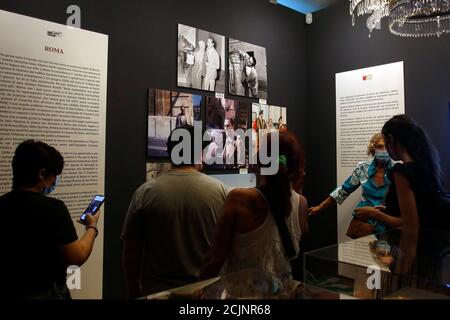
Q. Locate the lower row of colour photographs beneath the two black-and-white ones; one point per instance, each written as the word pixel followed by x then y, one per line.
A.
pixel 225 148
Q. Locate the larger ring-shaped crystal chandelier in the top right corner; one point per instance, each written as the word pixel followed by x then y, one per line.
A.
pixel 419 18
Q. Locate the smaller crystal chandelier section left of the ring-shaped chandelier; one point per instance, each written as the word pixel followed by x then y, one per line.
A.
pixel 377 9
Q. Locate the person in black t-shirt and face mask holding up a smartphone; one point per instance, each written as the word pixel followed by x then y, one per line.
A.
pixel 44 243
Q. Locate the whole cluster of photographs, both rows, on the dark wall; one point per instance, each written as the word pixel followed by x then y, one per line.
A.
pixel 201 61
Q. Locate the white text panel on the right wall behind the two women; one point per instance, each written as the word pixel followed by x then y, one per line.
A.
pixel 365 100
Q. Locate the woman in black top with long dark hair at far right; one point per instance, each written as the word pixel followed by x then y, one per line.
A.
pixel 415 195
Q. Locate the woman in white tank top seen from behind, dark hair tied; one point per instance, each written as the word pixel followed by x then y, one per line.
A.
pixel 247 235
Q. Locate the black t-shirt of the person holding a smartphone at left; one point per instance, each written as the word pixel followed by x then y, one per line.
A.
pixel 34 227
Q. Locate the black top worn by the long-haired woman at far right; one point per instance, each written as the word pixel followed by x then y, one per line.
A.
pixel 431 214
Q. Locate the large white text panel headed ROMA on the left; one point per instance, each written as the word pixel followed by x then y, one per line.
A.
pixel 53 89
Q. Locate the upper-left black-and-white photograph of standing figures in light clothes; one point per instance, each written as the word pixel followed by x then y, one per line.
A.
pixel 201 59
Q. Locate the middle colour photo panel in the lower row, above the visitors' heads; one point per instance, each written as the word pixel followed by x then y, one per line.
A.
pixel 228 148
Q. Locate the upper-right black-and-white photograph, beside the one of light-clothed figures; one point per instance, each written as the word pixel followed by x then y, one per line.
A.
pixel 247 75
